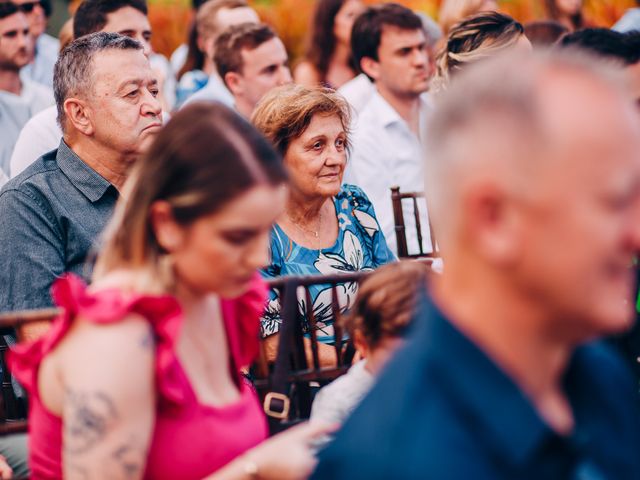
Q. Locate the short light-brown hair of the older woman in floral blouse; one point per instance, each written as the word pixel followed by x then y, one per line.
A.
pixel 286 112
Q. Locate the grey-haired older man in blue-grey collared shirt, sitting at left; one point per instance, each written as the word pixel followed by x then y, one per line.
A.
pixel 52 213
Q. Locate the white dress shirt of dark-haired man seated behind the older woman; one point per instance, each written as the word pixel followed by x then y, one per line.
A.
pixel 386 153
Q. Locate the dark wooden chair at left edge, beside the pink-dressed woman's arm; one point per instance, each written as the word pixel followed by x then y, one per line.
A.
pixel 26 325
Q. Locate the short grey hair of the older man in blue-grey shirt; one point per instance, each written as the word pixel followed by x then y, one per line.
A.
pixel 73 73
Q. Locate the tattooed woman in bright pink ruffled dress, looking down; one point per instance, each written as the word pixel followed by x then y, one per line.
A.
pixel 140 374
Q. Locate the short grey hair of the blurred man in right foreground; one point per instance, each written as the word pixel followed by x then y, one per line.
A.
pixel 498 102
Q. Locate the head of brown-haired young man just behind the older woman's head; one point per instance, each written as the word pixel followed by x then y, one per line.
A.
pixel 251 60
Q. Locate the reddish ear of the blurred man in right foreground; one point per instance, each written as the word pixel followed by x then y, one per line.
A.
pixel 493 224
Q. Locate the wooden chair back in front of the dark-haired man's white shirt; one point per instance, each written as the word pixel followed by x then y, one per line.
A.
pixel 400 228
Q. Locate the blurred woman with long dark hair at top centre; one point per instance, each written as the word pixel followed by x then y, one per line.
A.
pixel 328 60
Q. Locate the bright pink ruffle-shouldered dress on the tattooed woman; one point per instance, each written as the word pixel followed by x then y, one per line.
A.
pixel 190 440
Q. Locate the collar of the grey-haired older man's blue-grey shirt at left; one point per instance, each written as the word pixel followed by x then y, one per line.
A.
pixel 82 176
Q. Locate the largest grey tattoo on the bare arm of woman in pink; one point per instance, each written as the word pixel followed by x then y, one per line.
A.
pixel 89 418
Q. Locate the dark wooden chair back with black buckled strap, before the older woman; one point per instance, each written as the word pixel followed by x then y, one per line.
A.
pixel 286 387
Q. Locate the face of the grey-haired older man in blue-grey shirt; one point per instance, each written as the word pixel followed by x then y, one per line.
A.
pixel 123 107
